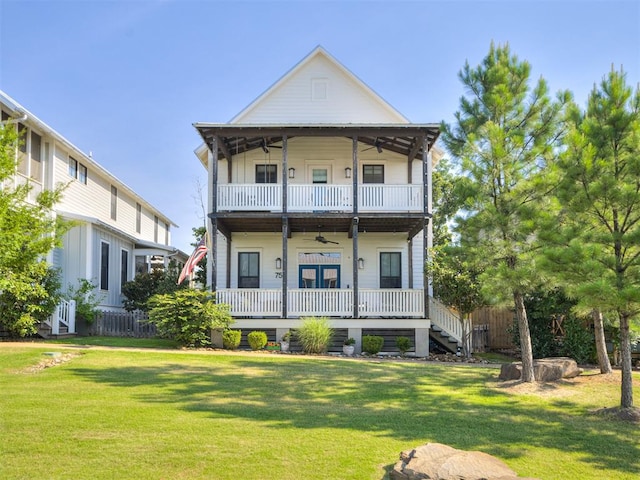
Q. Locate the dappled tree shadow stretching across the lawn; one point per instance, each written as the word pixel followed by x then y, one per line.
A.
pixel 458 406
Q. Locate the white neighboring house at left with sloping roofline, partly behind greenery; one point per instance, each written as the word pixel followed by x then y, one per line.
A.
pixel 117 232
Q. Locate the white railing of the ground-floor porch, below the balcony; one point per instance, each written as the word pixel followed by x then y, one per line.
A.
pixel 256 302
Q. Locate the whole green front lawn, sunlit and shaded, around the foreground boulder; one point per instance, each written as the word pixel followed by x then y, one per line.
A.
pixel 152 414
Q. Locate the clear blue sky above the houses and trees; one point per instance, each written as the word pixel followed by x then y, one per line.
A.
pixel 127 79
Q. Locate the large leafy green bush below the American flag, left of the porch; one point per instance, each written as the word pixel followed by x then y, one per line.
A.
pixel 187 316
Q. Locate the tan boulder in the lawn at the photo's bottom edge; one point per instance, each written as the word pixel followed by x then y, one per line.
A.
pixel 436 461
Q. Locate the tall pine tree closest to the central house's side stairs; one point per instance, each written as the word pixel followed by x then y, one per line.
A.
pixel 504 135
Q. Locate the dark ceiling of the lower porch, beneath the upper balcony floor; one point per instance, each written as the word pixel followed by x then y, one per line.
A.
pixel 303 223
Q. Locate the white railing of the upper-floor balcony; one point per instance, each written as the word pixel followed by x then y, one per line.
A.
pixel 325 198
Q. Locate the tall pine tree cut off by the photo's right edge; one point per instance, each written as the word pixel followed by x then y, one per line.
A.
pixel 599 192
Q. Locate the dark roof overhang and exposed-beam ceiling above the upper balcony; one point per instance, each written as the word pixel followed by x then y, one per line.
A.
pixel 404 139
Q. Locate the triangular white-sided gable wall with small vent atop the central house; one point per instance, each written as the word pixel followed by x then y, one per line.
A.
pixel 300 98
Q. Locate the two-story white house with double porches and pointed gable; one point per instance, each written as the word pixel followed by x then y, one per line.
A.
pixel 320 197
